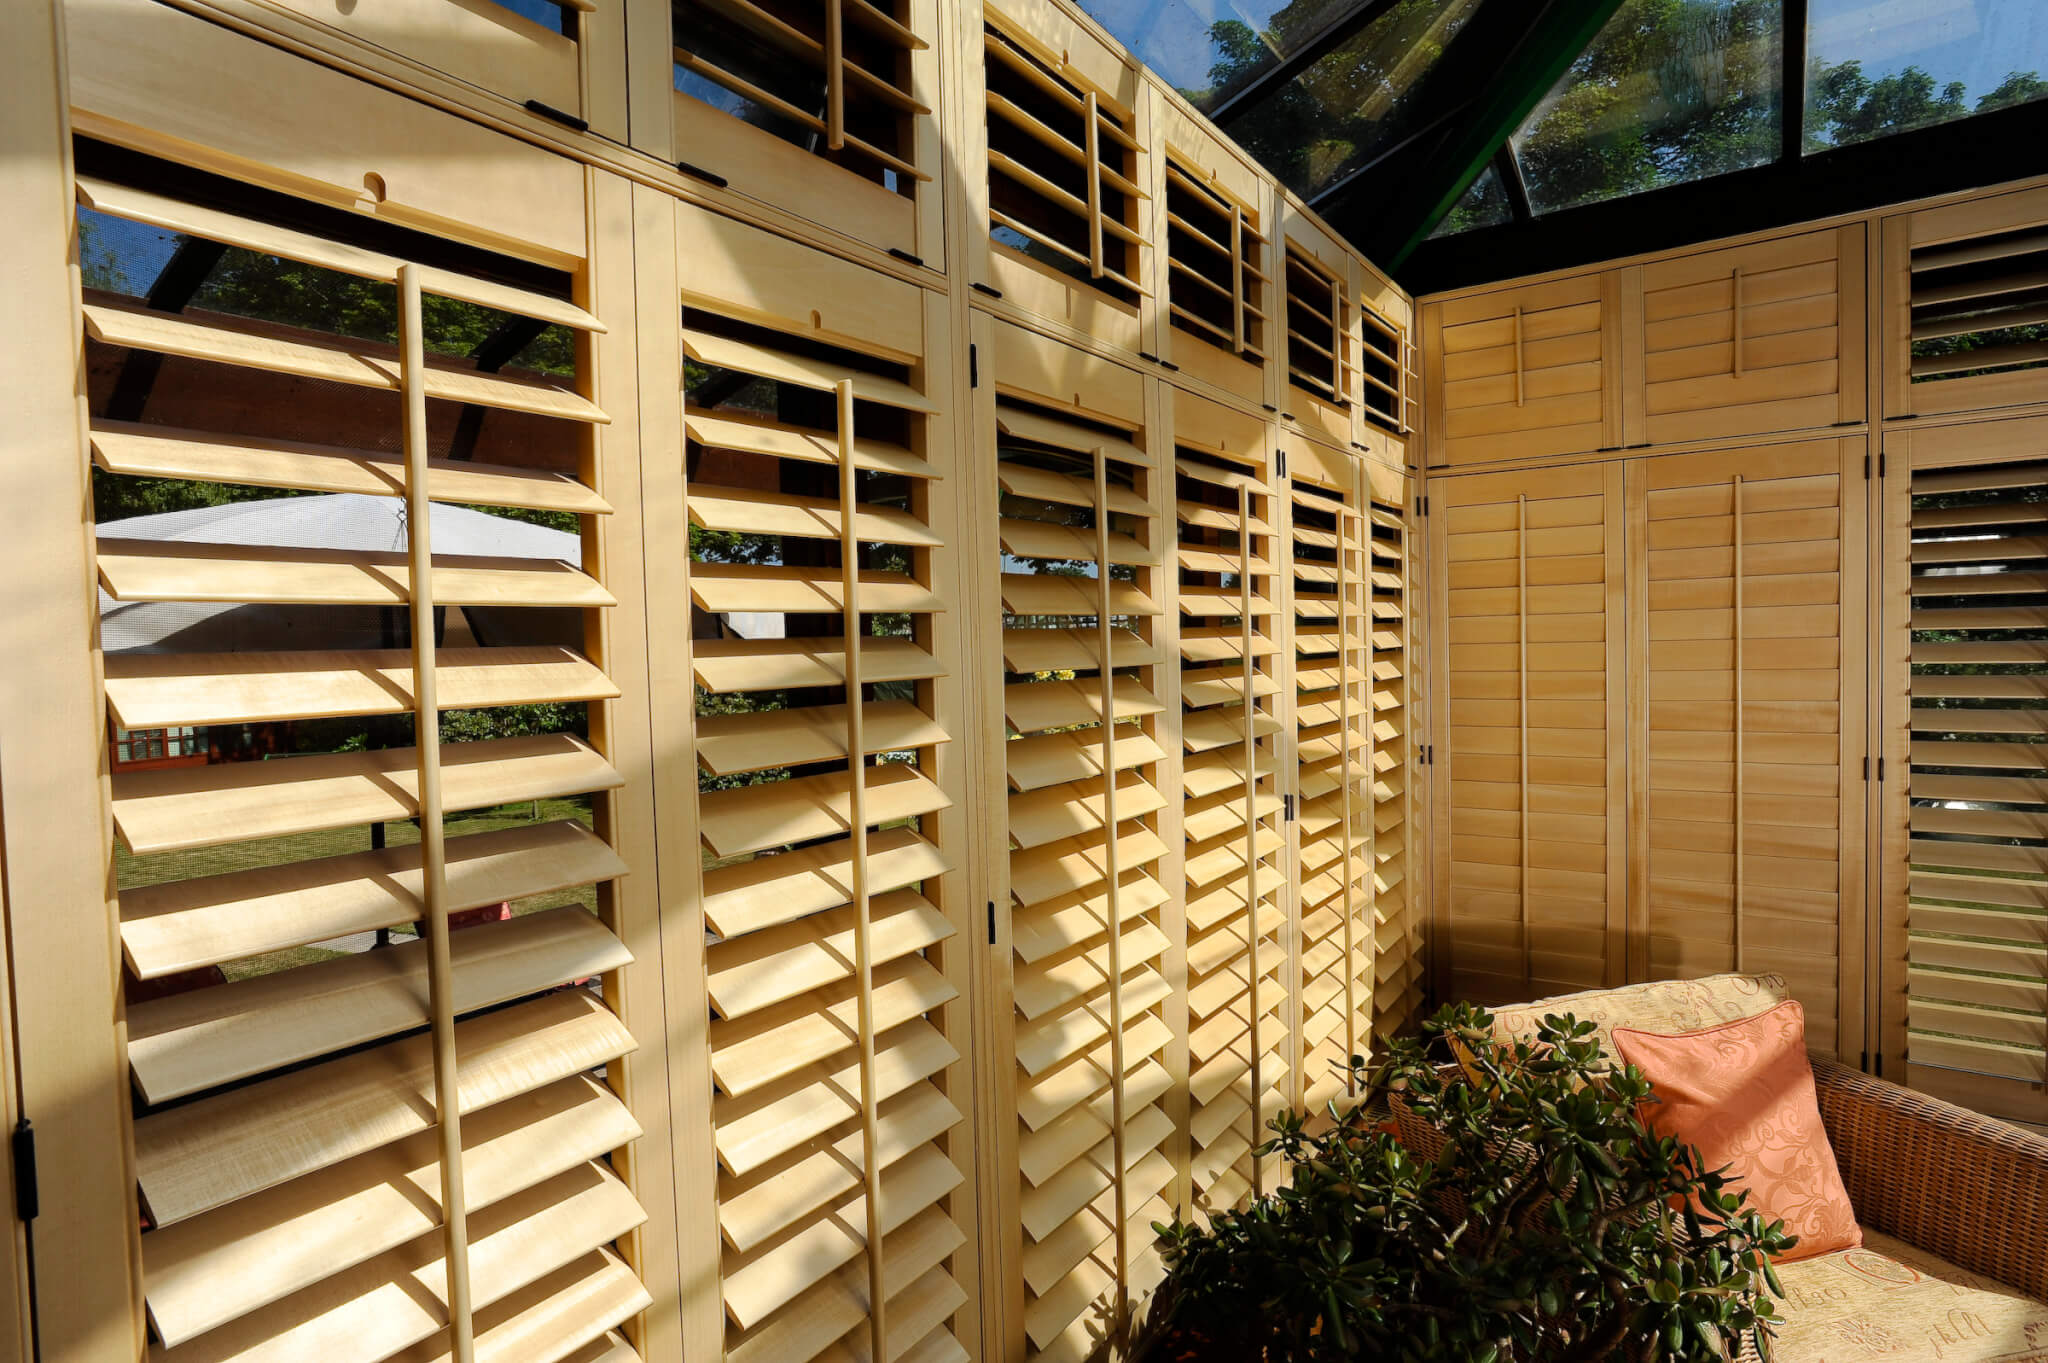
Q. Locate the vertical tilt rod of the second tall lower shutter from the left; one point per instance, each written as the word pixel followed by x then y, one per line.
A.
pixel 857 820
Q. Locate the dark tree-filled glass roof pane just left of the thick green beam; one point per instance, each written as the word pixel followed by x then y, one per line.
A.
pixel 1351 105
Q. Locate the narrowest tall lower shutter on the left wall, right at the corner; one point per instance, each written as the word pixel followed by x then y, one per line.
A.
pixel 1398 928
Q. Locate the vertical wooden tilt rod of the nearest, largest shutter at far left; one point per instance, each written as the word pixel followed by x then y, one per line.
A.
pixel 433 838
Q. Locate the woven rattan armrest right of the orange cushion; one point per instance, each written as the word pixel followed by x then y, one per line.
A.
pixel 1940 1178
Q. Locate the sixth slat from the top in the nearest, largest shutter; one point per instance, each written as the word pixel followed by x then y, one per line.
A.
pixel 202 807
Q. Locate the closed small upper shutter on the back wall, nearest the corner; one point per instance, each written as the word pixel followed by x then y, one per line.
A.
pixel 1525 371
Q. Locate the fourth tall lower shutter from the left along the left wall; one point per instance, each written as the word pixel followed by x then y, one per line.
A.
pixel 1240 1057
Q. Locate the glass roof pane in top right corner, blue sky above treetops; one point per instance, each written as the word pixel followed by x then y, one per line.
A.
pixel 1879 67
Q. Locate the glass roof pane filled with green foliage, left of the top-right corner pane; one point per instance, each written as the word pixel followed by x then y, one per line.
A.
pixel 1670 91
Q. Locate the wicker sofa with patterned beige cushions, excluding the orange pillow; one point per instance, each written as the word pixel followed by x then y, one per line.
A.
pixel 1955 1206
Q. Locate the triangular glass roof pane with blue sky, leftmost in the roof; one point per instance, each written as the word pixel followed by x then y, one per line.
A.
pixel 1213 48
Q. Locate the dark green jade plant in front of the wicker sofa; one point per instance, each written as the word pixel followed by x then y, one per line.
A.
pixel 1517 1213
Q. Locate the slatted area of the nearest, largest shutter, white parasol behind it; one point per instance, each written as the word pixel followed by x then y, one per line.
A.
pixel 286 1145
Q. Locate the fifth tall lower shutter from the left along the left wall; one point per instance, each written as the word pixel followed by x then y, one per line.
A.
pixel 1330 592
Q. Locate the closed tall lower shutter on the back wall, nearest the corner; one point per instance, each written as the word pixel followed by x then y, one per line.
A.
pixel 1531 785
